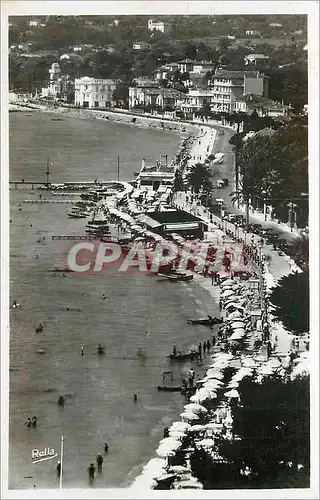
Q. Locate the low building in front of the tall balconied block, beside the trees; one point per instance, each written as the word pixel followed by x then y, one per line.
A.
pixel 263 106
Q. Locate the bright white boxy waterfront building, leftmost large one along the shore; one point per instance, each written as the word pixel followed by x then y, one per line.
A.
pixel 94 92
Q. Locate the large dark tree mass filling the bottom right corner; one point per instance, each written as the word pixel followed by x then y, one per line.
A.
pixel 272 424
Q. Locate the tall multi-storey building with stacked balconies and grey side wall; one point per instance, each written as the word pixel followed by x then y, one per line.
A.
pixel 230 85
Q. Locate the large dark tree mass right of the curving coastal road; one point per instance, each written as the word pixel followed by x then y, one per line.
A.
pixel 274 167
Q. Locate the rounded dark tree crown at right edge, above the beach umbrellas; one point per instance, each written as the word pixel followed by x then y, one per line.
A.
pixel 291 301
